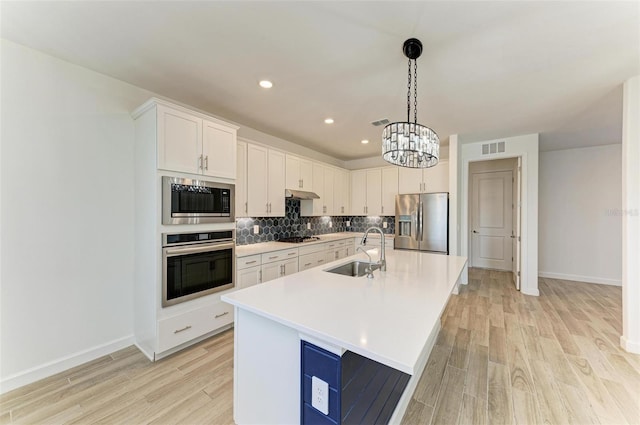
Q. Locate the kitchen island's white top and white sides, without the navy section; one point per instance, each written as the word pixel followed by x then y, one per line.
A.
pixel 391 319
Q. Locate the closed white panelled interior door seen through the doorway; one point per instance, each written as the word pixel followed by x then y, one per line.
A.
pixel 491 220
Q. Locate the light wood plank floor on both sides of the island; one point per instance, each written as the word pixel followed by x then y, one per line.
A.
pixel 501 357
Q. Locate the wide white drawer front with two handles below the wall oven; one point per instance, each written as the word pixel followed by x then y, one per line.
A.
pixel 177 330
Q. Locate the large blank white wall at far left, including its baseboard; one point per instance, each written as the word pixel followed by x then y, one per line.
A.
pixel 67 214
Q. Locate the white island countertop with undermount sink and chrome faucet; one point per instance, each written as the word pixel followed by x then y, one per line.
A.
pixel 388 318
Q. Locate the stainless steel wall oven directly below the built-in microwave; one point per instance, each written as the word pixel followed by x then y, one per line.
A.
pixel 196 264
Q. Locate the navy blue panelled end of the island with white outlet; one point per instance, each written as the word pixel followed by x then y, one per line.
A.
pixel 359 390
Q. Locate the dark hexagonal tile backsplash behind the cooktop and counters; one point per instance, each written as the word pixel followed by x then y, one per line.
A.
pixel 274 228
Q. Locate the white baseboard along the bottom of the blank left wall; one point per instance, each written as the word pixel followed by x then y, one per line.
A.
pixel 60 365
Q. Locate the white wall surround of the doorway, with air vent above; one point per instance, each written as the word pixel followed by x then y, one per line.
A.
pixel 526 147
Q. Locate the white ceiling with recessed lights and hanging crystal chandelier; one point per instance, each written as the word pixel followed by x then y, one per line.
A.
pixel 488 70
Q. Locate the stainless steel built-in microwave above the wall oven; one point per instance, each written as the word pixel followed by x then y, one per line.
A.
pixel 190 201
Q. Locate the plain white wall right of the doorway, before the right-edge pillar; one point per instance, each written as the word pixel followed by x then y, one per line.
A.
pixel 580 226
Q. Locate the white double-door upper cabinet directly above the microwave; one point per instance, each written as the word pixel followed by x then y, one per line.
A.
pixel 190 143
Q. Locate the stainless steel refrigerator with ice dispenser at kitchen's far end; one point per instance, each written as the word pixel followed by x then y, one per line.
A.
pixel 422 222
